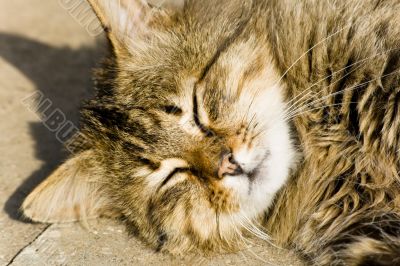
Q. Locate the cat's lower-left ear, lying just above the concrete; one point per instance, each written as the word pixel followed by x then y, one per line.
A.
pixel 71 193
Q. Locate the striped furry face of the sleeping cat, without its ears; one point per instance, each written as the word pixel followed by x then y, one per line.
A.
pixel 238 100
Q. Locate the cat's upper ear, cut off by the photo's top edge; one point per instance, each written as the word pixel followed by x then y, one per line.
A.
pixel 125 20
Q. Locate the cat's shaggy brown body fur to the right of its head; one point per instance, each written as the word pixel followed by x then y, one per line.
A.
pixel 344 205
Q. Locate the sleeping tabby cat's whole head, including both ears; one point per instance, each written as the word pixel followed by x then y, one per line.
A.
pixel 187 137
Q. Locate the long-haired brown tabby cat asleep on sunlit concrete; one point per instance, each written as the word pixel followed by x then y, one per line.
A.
pixel 212 117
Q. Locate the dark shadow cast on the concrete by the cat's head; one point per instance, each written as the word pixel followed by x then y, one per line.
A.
pixel 62 75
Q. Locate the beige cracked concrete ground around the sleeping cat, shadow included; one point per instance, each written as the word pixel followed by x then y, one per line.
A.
pixel 46 46
